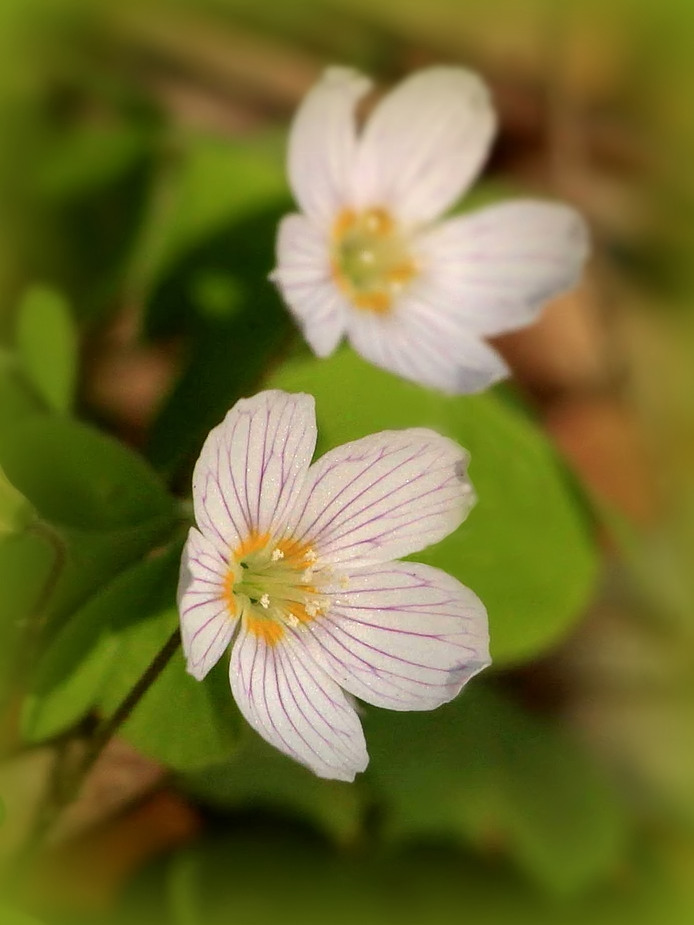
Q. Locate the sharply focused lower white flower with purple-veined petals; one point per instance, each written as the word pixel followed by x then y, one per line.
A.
pixel 292 565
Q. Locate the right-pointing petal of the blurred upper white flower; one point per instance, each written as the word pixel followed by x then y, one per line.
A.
pixel 493 270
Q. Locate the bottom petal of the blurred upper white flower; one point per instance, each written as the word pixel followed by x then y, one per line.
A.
pixel 426 345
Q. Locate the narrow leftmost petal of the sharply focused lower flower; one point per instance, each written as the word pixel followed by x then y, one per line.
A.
pixel 206 624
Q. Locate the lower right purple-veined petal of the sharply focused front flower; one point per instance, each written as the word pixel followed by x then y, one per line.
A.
pixel 403 636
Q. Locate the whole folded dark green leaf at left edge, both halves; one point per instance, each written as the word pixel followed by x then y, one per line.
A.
pixel 106 505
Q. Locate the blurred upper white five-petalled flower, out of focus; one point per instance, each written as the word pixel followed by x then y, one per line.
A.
pixel 368 259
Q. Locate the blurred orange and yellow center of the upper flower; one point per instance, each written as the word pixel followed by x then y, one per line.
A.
pixel 371 261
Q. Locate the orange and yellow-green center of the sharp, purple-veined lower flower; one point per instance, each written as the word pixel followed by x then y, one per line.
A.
pixel 271 586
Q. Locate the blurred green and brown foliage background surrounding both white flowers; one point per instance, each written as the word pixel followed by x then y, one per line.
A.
pixel 141 181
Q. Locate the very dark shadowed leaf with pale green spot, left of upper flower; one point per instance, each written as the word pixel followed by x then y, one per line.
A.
pixel 233 337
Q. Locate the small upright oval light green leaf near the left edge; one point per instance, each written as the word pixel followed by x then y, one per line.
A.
pixel 47 346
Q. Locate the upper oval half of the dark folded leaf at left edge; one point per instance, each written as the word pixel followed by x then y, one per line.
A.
pixel 78 477
